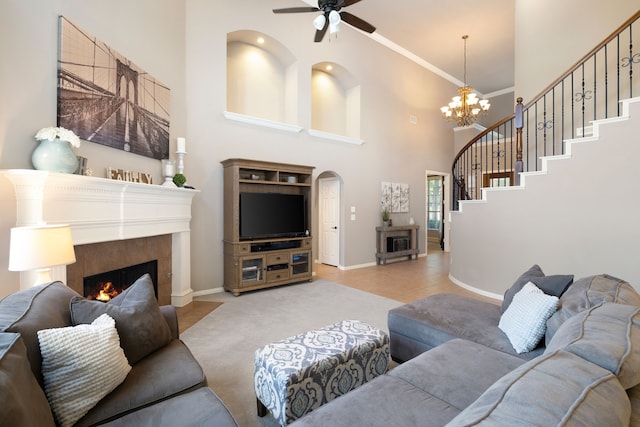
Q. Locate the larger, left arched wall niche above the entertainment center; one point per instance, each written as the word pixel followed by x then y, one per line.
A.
pixel 262 77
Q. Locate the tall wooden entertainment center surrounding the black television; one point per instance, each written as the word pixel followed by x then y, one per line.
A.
pixel 256 263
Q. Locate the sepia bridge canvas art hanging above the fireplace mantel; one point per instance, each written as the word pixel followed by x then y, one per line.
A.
pixel 105 98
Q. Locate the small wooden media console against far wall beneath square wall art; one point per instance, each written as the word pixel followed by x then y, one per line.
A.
pixel 395 242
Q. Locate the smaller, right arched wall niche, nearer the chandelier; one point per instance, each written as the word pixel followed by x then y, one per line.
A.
pixel 335 101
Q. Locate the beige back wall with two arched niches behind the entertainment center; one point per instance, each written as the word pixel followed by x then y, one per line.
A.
pixel 392 89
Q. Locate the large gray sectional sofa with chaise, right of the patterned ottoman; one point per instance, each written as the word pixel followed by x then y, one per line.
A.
pixel 460 369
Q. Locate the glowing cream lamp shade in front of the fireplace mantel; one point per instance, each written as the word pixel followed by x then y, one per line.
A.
pixel 42 246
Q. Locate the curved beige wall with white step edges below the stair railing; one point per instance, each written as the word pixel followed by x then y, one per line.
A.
pixel 580 214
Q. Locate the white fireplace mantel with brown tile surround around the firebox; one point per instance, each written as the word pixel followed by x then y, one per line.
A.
pixel 114 224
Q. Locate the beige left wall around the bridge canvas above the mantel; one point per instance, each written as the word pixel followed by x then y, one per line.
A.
pixel 148 32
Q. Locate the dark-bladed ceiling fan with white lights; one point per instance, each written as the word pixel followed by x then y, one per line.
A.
pixel 331 17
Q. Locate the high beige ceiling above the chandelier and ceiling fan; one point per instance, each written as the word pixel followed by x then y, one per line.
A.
pixel 433 29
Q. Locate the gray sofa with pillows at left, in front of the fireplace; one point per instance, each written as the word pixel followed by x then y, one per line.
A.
pixel 156 381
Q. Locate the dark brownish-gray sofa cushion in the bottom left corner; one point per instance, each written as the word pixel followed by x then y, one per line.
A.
pixel 23 401
